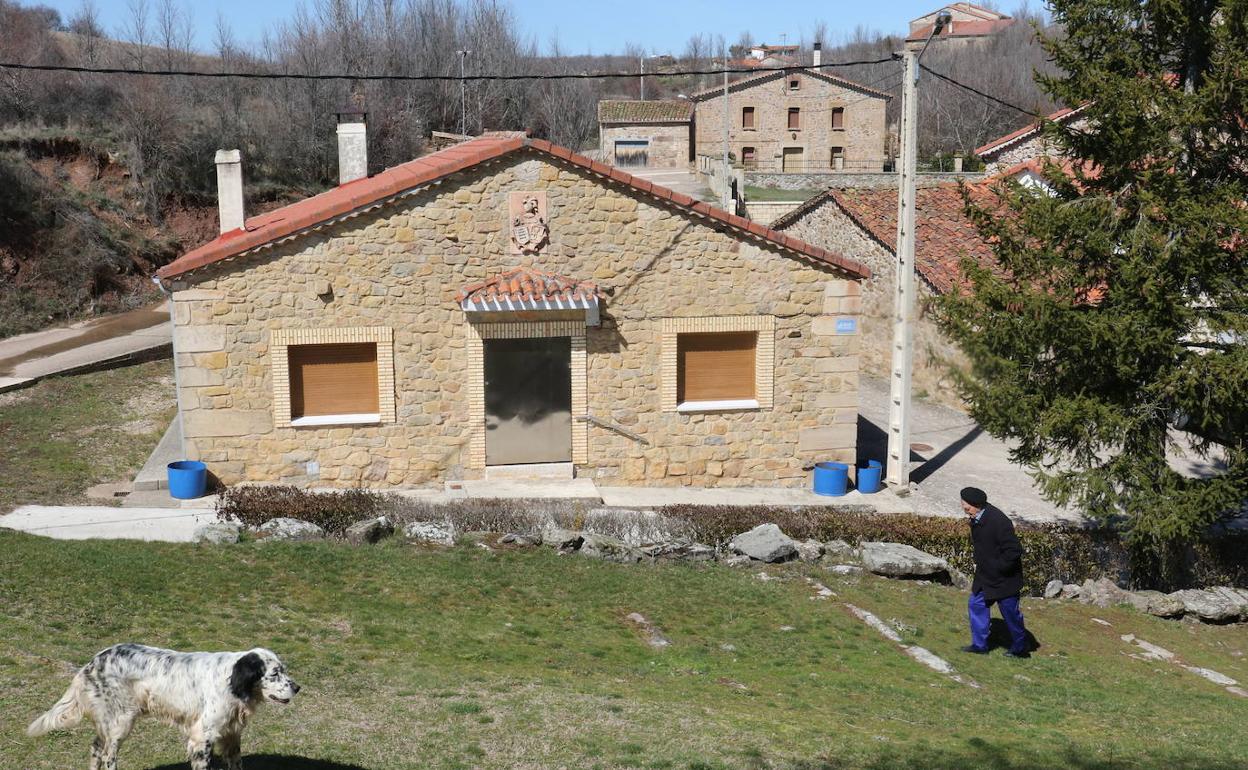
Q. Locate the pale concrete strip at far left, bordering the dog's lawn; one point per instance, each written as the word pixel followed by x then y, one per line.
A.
pixel 104 522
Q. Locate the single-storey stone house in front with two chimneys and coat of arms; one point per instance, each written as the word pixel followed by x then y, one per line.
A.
pixel 507 306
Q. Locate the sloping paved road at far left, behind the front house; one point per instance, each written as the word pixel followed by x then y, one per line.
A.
pixel 87 346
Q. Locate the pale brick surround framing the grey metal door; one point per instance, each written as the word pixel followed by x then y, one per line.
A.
pixel 517 330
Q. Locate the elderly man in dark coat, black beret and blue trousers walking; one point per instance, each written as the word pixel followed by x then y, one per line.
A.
pixel 998 575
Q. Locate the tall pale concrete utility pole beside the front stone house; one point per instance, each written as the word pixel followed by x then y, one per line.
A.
pixel 904 298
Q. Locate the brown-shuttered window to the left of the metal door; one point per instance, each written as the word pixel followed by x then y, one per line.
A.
pixel 334 380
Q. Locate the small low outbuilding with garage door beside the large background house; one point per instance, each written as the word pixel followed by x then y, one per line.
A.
pixel 646 134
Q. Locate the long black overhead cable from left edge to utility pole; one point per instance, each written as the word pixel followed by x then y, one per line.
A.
pixel 58 68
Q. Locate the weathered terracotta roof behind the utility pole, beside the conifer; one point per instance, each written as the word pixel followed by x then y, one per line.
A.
pixel 944 234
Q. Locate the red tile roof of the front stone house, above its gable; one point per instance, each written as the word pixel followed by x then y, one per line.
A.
pixel 360 195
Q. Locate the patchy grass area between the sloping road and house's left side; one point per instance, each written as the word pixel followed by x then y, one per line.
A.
pixel 67 434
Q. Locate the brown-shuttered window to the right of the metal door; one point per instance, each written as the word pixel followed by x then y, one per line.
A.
pixel 717 366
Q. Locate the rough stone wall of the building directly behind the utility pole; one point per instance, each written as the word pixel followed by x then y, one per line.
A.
pixel 831 228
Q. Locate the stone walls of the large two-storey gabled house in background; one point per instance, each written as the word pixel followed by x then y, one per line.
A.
pixel 863 135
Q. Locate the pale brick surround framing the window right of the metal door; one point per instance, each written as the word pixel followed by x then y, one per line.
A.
pixel 764 360
